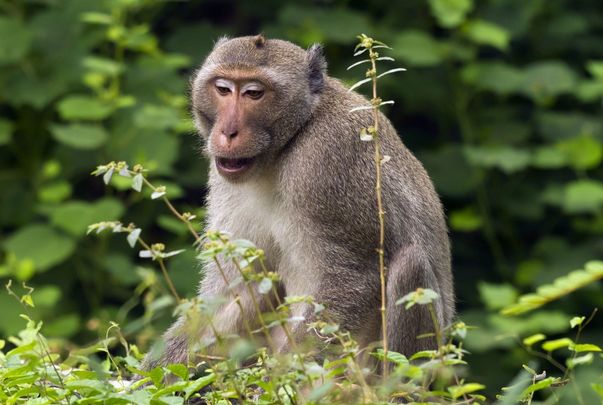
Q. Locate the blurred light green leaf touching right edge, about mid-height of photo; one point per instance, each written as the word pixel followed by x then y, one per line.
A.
pixel 583 196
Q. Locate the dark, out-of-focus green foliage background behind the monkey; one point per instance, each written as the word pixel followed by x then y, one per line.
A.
pixel 502 102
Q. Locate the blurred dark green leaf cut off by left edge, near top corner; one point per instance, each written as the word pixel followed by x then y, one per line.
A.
pixel 15 40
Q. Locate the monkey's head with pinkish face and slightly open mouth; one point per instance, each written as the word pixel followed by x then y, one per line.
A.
pixel 251 96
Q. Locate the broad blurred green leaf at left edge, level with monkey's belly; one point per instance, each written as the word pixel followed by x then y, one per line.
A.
pixel 42 244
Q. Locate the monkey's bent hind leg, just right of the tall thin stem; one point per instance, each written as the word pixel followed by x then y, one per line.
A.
pixel 411 269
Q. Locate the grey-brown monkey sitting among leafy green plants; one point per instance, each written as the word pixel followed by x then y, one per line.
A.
pixel 289 172
